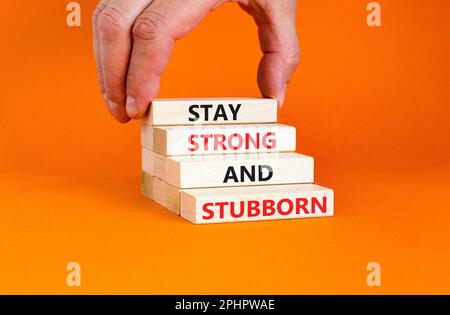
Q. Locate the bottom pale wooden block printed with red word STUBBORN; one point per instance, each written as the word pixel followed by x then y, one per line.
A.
pixel 230 204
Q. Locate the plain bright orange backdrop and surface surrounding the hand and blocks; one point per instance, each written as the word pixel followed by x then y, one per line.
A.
pixel 370 104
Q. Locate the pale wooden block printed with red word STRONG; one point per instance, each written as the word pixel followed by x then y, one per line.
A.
pixel 221 139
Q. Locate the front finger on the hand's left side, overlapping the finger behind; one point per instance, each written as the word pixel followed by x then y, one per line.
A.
pixel 154 34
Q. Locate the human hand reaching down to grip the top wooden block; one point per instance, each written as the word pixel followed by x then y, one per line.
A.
pixel 133 41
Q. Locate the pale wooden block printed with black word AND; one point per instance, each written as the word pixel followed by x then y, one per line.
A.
pixel 237 170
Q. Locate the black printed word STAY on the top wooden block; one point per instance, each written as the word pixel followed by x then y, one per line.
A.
pixel 202 112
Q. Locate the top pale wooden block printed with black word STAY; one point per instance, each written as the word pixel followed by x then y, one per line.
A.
pixel 164 112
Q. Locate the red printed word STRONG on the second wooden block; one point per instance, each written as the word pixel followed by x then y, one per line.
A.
pixel 233 142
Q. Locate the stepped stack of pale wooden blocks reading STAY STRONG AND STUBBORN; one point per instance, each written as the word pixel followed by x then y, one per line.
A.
pixel 225 160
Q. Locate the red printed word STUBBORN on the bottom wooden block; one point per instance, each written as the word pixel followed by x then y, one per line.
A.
pixel 264 208
